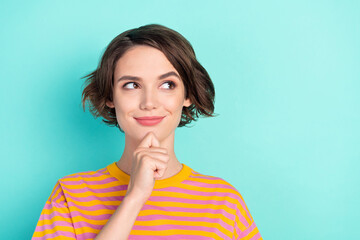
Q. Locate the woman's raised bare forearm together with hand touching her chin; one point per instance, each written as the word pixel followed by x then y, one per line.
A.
pixel 149 162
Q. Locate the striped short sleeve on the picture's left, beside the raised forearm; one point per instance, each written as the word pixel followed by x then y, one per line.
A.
pixel 55 221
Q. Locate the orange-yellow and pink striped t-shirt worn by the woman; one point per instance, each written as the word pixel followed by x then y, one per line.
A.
pixel 188 205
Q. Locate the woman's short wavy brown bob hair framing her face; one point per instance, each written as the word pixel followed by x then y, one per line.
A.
pixel 198 85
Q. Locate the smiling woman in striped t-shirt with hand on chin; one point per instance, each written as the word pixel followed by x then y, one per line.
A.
pixel 147 84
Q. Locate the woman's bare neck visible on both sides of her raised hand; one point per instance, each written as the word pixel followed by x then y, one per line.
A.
pixel 125 162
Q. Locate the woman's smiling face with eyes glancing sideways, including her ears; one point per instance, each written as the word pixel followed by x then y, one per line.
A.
pixel 146 84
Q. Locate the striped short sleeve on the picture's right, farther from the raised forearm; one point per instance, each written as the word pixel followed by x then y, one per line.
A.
pixel 244 226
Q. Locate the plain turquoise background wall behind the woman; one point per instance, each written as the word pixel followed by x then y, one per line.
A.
pixel 287 82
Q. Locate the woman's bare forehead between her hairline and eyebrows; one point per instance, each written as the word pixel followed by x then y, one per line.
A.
pixel 144 60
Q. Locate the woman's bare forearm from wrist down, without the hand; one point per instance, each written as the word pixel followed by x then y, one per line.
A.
pixel 121 222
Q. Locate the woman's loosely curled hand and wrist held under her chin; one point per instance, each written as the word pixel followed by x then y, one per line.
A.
pixel 149 162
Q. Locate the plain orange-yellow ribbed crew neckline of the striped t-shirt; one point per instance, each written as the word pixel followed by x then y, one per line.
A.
pixel 183 174
